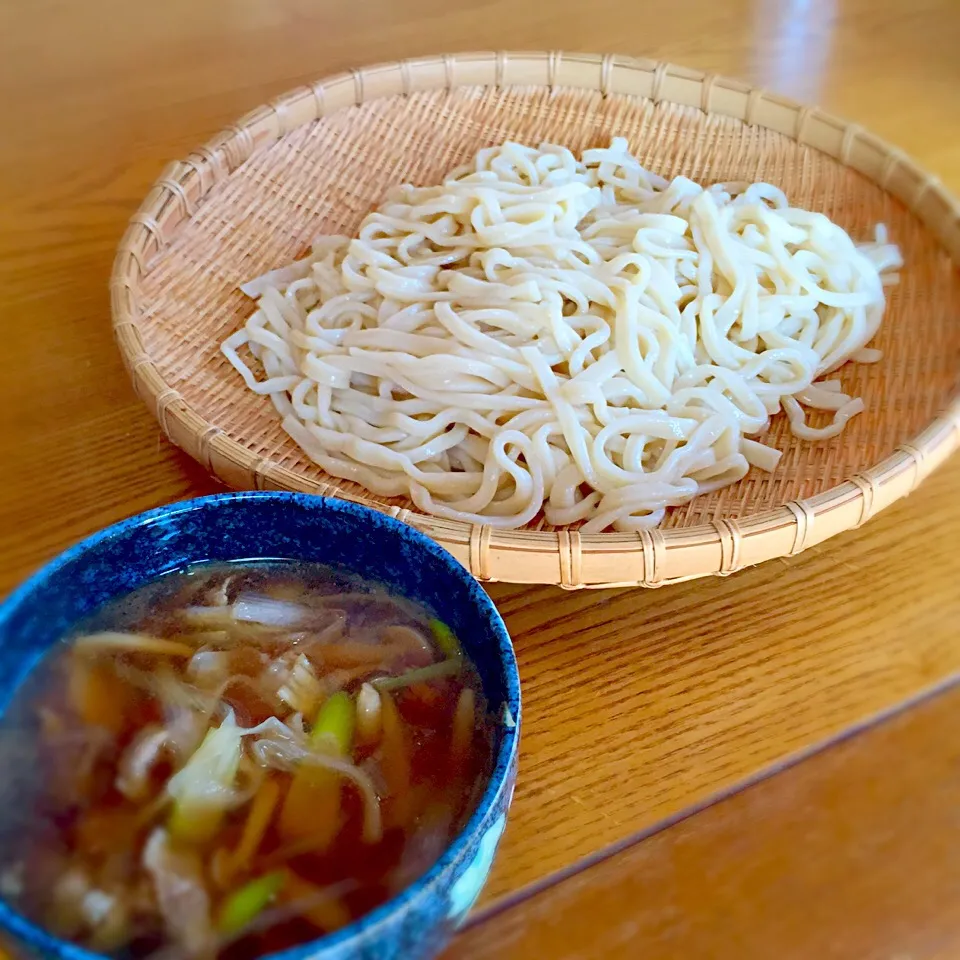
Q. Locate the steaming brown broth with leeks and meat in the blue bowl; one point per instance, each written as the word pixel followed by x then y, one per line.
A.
pixel 235 759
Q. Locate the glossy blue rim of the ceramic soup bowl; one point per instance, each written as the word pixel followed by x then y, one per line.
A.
pixel 505 759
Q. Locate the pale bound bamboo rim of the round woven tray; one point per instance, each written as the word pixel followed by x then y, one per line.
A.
pixel 651 557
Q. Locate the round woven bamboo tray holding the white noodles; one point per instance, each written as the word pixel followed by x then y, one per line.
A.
pixel 317 159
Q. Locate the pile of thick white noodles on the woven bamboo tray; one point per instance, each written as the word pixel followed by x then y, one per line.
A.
pixel 581 338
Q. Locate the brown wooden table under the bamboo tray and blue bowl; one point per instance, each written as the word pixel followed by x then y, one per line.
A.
pixel 634 831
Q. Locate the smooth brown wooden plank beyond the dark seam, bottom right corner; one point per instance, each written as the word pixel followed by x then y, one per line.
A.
pixel 850 854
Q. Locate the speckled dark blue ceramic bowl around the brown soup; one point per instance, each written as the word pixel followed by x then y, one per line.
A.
pixel 233 526
